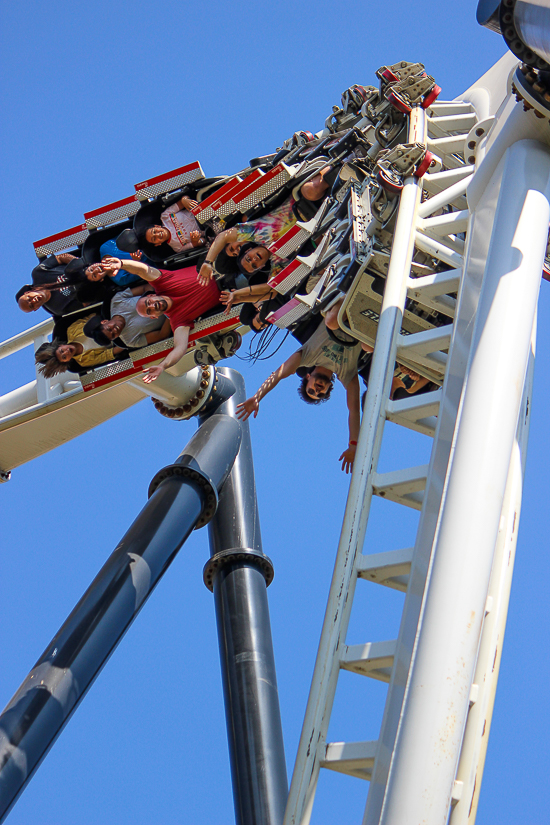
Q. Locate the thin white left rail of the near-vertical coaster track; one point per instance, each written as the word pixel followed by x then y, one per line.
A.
pixel 313 747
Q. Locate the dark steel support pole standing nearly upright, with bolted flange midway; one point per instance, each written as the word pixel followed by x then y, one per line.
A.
pixel 238 572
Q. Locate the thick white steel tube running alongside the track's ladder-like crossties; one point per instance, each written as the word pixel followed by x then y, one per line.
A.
pixel 428 738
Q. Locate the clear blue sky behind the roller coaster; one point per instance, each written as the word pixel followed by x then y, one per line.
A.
pixel 98 97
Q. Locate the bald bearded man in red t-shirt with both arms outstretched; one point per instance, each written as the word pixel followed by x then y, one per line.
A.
pixel 177 295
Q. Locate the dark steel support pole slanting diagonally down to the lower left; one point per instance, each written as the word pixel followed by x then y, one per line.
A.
pixel 183 496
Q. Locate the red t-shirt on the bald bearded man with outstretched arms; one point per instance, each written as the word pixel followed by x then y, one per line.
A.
pixel 190 299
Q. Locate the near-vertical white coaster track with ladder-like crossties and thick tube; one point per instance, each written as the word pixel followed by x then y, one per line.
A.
pixel 398 787
